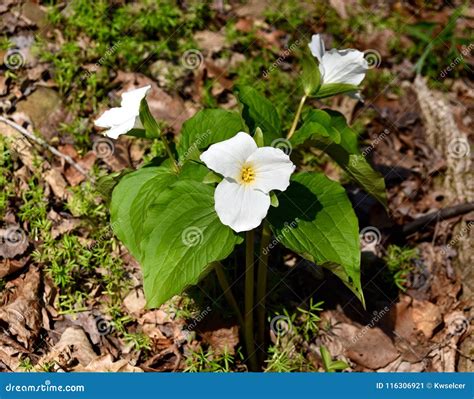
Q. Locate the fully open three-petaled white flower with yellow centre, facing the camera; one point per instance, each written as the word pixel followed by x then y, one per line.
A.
pixel 242 199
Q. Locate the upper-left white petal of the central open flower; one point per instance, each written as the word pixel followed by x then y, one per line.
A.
pixel 228 156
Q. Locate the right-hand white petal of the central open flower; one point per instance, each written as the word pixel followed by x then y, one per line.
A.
pixel 273 169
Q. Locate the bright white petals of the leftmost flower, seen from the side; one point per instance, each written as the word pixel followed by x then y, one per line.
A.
pixel 121 120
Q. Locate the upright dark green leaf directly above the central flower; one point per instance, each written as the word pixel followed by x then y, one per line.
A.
pixel 258 111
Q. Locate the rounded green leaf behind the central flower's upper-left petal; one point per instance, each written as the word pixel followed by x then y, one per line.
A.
pixel 207 127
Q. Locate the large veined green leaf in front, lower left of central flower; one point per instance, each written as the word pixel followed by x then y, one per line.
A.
pixel 185 236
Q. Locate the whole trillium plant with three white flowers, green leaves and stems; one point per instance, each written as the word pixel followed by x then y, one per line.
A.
pixel 231 185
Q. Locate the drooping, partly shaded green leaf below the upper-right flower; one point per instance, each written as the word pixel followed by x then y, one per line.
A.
pixel 328 131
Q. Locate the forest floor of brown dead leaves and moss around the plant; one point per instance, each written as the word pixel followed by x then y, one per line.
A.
pixel 71 296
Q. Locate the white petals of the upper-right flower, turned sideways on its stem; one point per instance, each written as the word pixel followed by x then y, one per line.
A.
pixel 338 66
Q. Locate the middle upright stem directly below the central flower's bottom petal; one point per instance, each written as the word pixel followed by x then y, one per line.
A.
pixel 249 293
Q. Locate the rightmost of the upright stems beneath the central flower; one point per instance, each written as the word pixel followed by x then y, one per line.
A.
pixel 262 287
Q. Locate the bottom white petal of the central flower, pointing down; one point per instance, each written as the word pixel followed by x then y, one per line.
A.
pixel 239 206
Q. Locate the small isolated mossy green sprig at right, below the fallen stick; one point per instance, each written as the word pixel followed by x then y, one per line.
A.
pixel 399 263
